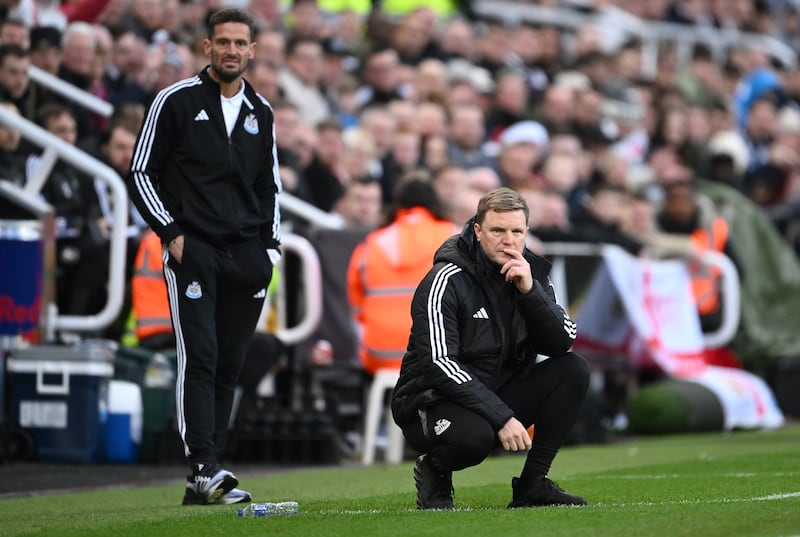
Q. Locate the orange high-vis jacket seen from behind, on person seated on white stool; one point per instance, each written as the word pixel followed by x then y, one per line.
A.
pixel 383 274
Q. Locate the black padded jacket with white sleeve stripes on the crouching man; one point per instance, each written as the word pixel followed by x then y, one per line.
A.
pixel 472 331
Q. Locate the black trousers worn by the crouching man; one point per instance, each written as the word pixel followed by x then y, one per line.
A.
pixel 548 395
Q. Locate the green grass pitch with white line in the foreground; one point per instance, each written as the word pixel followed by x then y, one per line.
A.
pixel 744 483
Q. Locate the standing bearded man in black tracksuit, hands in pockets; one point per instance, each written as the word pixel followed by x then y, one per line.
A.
pixel 204 175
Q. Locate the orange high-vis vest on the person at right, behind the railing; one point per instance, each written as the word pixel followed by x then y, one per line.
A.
pixel 705 279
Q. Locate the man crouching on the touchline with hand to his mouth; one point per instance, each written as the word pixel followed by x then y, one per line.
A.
pixel 470 379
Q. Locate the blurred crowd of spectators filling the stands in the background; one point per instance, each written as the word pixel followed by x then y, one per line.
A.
pixel 364 94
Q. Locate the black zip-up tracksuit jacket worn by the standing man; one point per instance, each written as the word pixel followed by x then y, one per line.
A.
pixel 187 175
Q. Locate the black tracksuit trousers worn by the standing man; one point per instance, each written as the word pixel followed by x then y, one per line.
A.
pixel 215 296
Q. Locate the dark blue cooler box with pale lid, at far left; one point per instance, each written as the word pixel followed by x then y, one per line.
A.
pixel 60 394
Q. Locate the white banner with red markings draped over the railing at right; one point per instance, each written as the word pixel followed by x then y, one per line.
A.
pixel 645 310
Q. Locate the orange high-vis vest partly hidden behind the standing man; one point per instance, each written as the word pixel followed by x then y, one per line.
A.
pixel 148 289
